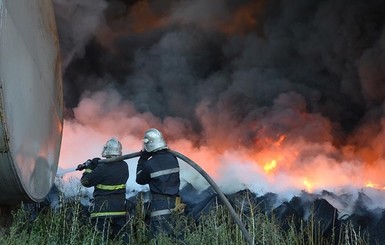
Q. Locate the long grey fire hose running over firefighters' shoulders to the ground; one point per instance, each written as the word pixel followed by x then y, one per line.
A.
pixel 234 215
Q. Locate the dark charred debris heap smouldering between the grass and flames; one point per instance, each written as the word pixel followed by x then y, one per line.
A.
pixel 305 207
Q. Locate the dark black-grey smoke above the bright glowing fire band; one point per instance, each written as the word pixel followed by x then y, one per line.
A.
pixel 229 64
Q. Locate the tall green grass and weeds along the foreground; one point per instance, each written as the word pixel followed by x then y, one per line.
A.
pixel 67 225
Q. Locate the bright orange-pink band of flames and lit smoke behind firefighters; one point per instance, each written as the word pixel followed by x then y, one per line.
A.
pixel 280 165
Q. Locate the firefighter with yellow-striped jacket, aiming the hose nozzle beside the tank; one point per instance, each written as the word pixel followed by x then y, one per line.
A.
pixel 109 196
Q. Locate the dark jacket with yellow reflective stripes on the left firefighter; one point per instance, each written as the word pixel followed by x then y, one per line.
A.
pixel 109 181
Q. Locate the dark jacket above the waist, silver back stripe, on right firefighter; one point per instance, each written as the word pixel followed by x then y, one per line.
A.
pixel 161 172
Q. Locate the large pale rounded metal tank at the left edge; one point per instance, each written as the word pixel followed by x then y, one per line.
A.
pixel 31 100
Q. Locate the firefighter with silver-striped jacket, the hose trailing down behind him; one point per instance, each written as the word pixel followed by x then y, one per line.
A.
pixel 159 168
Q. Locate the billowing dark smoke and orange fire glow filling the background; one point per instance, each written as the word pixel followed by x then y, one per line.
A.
pixel 272 95
